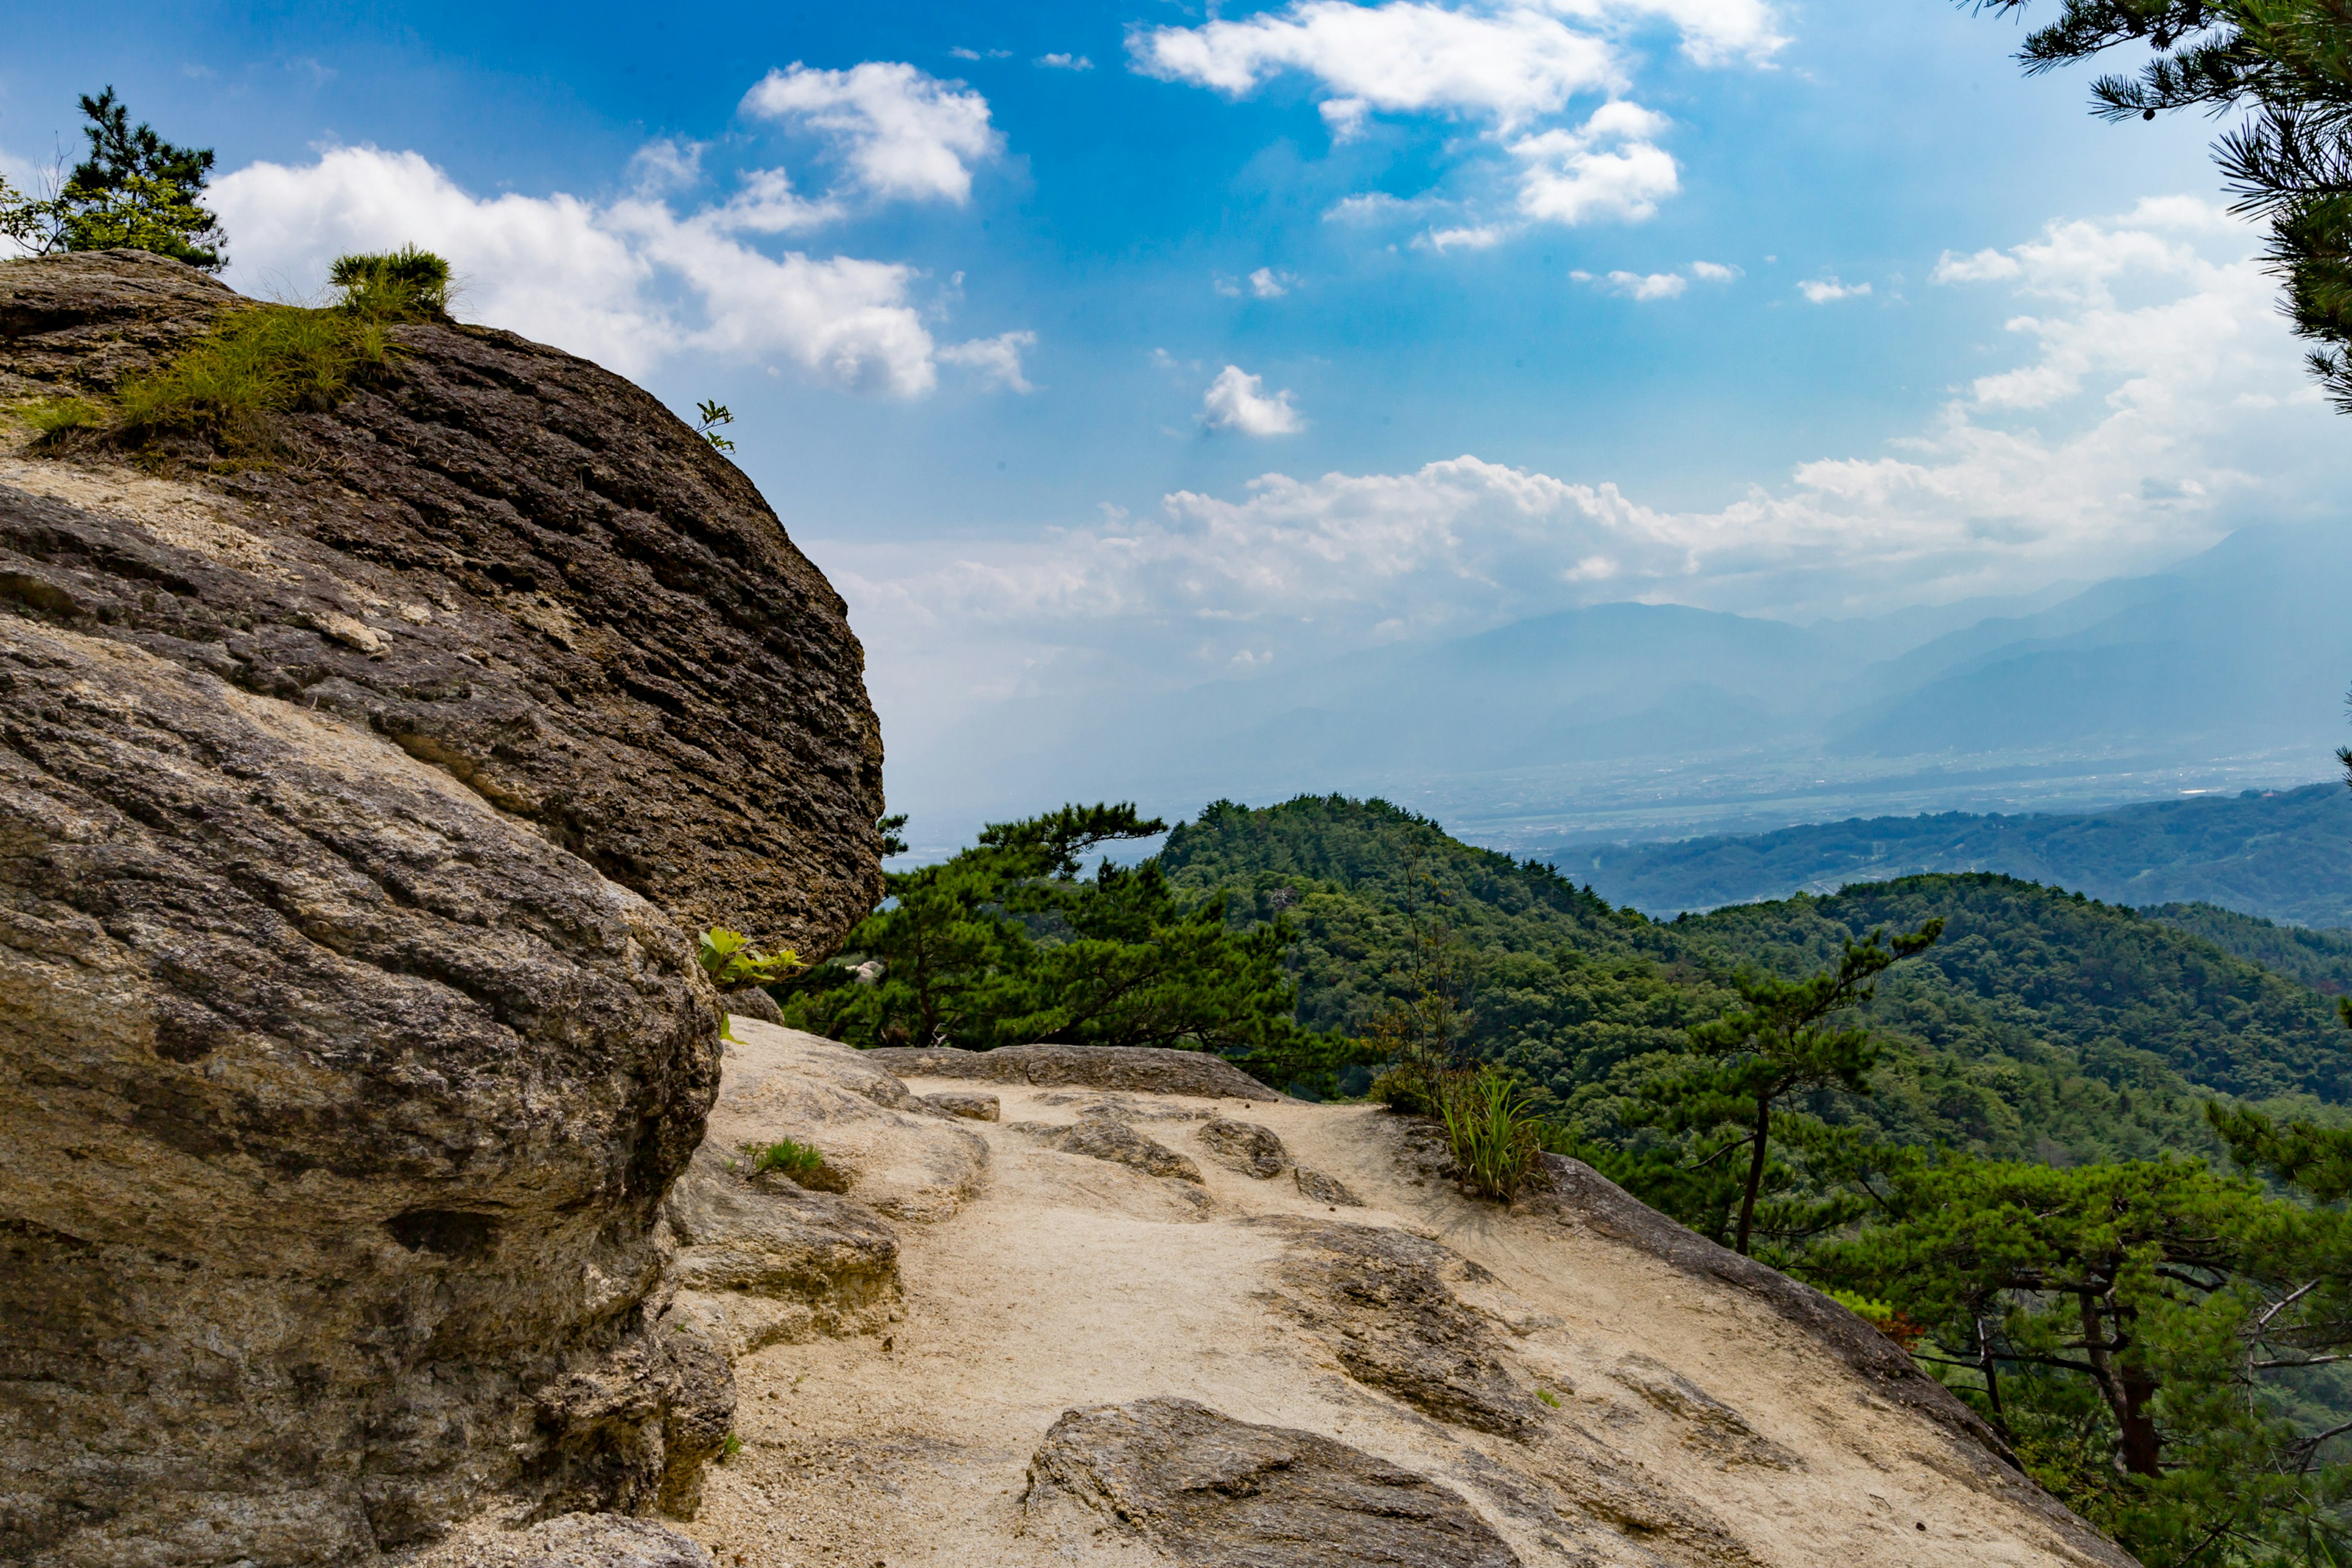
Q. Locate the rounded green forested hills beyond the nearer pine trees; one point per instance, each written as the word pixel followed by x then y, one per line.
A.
pixel 2045 1026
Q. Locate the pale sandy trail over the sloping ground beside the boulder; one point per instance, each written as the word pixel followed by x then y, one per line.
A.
pixel 1683 1421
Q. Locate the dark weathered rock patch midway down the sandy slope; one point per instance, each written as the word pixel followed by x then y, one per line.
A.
pixel 1382 1304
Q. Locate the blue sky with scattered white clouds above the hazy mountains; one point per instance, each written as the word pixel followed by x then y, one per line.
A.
pixel 1118 347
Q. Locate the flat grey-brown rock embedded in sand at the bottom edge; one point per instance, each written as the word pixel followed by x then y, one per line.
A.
pixel 1210 1489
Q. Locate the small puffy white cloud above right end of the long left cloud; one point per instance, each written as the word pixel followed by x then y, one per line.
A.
pixel 904 133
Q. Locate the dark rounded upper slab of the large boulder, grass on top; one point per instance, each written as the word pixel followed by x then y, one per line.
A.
pixel 514 565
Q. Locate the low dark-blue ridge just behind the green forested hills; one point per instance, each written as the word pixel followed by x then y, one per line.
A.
pixel 2273 855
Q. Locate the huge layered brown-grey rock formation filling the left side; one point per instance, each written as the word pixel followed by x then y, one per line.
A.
pixel 356 810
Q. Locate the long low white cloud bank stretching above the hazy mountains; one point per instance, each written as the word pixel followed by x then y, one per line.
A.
pixel 2151 406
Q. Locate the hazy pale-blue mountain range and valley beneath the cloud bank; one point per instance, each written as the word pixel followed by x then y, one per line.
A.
pixel 1650 721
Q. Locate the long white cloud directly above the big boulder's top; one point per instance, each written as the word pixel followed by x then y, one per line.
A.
pixel 627 283
